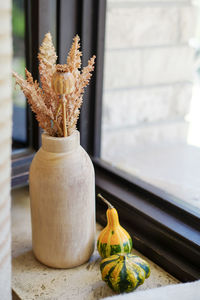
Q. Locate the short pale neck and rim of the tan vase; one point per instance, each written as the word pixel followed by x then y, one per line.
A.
pixel 61 144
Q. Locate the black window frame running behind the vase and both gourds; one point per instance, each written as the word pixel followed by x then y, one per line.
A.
pixel 161 227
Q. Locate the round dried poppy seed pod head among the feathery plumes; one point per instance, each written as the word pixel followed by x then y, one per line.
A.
pixel 63 82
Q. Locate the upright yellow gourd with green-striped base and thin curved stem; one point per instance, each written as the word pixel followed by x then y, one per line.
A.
pixel 113 238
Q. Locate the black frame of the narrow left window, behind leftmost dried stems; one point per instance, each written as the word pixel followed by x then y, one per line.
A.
pixel 37 23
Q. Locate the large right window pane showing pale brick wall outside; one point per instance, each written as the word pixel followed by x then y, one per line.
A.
pixel 151 95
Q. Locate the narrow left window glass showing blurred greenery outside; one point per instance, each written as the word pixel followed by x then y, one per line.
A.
pixel 19 101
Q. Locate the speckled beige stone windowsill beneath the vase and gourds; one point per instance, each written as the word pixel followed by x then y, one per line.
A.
pixel 33 280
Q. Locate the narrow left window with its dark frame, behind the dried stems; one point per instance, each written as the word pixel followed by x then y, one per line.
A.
pixel 28 31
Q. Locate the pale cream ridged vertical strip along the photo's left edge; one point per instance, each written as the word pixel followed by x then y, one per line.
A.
pixel 5 147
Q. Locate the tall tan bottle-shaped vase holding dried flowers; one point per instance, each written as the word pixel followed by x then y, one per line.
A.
pixel 62 193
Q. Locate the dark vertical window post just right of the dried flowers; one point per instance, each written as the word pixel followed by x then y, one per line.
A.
pixel 93 21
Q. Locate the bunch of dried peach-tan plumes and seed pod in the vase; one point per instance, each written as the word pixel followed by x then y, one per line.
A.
pixel 58 101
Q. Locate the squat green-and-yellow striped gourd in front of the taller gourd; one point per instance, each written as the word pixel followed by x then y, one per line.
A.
pixel 124 272
